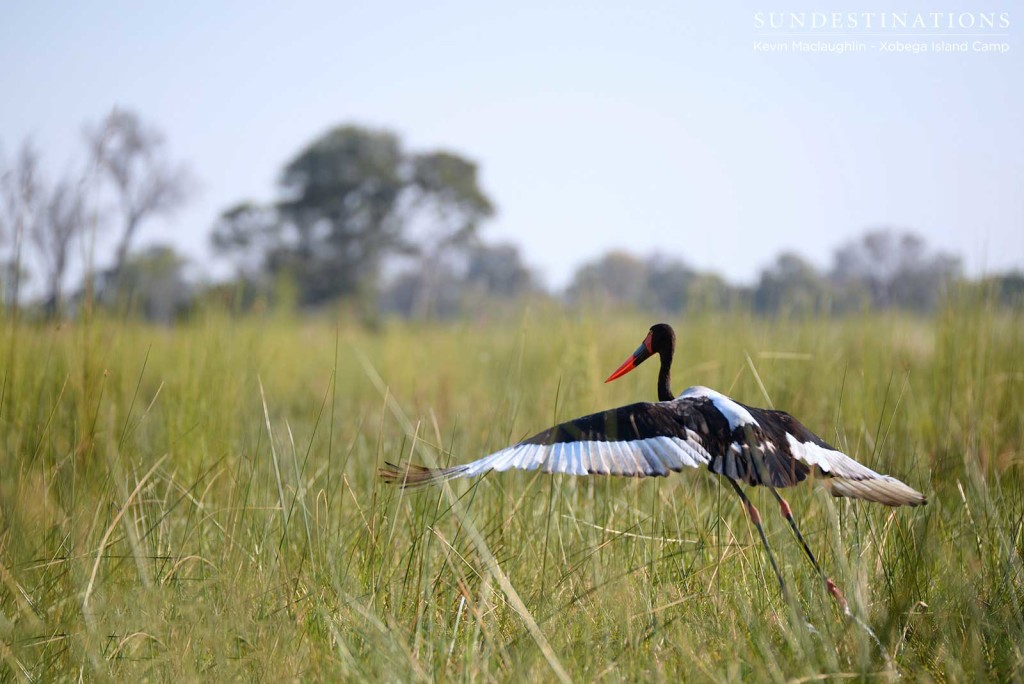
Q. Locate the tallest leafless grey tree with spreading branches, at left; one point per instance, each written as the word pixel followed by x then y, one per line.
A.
pixel 133 159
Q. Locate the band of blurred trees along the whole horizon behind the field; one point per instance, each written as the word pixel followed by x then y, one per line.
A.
pixel 361 220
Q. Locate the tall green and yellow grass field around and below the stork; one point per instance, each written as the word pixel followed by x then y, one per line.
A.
pixel 202 503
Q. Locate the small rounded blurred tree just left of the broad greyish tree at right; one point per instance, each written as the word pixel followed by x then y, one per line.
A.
pixel 791 285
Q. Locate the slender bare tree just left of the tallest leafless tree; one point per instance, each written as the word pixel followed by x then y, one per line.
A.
pixel 63 221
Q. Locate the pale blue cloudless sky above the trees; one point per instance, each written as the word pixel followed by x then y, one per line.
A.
pixel 652 127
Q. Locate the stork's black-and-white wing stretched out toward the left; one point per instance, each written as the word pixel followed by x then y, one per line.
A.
pixel 636 441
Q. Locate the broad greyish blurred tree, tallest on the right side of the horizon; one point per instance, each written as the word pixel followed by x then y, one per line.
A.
pixel 895 270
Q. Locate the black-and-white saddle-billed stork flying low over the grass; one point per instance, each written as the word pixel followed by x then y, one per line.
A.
pixel 742 444
